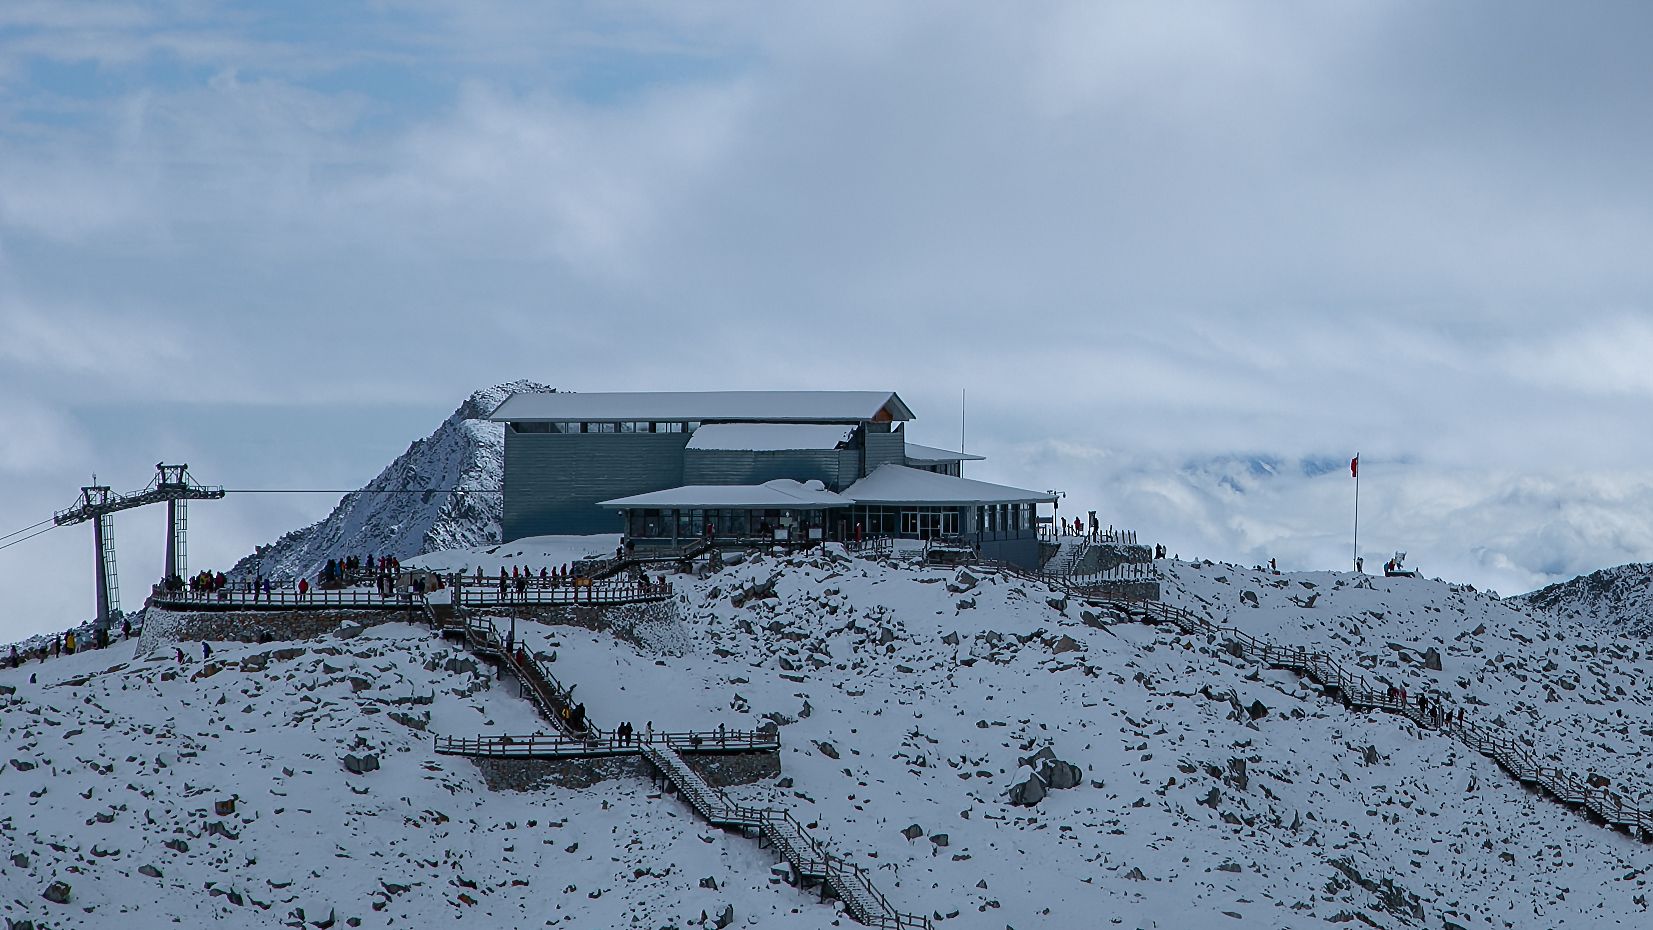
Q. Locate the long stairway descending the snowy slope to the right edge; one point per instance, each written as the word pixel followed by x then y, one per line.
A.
pixel 1604 805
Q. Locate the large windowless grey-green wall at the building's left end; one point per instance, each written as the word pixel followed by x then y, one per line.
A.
pixel 556 480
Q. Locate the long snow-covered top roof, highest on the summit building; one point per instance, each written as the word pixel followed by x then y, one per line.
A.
pixel 784 407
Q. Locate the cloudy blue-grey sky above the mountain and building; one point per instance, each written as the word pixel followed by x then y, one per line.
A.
pixel 1184 259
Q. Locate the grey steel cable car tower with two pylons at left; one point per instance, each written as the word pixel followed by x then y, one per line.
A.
pixel 98 505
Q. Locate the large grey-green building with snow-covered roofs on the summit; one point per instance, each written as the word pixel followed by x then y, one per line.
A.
pixel 751 465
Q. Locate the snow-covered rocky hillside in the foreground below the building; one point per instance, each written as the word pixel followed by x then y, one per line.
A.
pixel 902 703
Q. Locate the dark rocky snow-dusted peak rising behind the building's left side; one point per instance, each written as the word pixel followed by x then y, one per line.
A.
pixel 391 516
